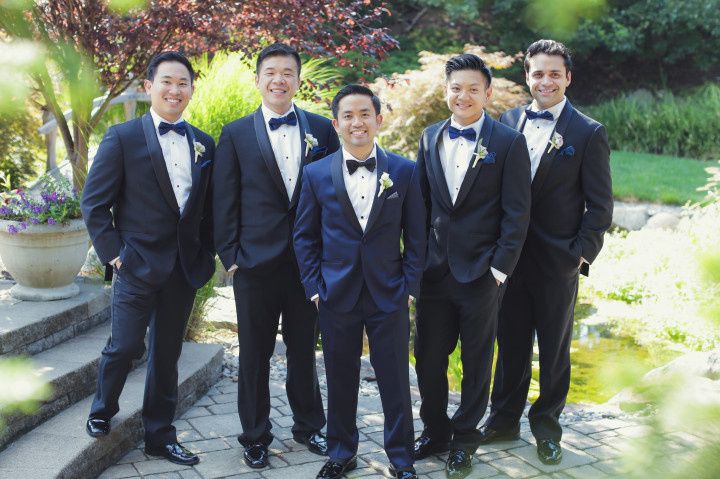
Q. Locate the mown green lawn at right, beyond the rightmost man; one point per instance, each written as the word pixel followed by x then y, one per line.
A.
pixel 657 178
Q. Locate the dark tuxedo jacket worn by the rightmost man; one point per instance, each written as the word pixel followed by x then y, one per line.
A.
pixel 572 200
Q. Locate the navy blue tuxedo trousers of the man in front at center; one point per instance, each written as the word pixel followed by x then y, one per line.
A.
pixel 388 337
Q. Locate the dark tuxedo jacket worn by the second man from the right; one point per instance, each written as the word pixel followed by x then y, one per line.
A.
pixel 487 224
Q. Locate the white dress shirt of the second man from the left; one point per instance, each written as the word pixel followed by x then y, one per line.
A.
pixel 285 142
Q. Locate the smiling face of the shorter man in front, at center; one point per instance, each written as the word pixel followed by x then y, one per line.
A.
pixel 357 123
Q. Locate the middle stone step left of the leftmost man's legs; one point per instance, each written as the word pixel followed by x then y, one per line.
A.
pixel 71 370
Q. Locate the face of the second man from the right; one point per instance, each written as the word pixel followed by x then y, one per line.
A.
pixel 466 94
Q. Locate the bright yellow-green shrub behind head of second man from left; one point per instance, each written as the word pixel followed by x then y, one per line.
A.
pixel 226 90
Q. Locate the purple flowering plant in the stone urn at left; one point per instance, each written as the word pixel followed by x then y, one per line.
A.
pixel 58 202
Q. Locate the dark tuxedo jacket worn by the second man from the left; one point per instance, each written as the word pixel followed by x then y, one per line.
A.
pixel 254 217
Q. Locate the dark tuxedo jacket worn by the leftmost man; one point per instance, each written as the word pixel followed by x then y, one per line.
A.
pixel 130 209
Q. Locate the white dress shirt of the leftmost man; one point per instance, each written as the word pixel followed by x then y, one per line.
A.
pixel 178 160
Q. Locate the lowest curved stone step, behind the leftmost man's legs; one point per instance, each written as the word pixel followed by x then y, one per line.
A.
pixel 60 448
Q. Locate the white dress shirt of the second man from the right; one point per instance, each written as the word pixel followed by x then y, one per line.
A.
pixel 456 155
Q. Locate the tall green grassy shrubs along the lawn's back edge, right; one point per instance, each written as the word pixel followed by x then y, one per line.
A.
pixel 664 123
